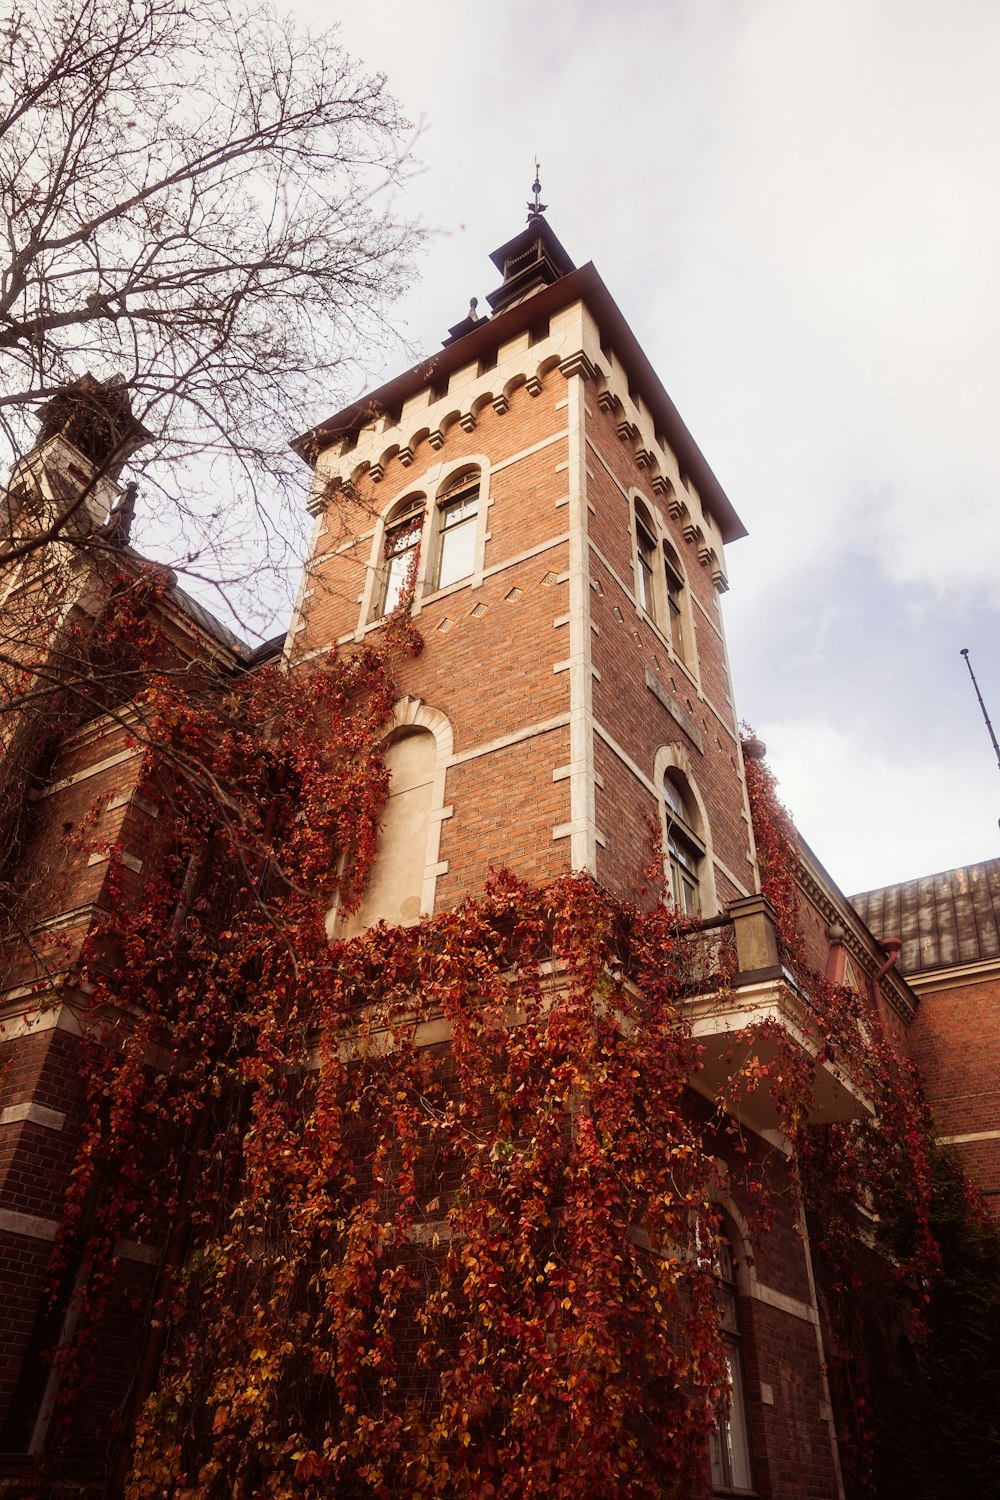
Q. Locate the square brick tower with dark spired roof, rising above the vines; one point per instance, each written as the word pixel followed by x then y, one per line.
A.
pixel 564 541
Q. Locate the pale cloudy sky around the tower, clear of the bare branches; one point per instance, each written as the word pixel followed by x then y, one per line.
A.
pixel 795 205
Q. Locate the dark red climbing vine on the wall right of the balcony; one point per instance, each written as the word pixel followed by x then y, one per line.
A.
pixel 867 1183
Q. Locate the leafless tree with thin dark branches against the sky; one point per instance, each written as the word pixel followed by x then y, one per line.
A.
pixel 191 205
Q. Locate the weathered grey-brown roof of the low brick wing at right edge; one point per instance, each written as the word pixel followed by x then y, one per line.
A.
pixel 944 920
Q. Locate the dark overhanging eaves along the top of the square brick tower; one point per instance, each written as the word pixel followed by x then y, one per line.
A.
pixel 581 286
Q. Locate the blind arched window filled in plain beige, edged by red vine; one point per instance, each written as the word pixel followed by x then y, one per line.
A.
pixel 395 890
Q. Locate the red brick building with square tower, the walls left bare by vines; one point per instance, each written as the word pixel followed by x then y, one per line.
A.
pixel 564 541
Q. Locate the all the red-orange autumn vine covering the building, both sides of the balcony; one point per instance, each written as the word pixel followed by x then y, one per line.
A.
pixel 436 1207
